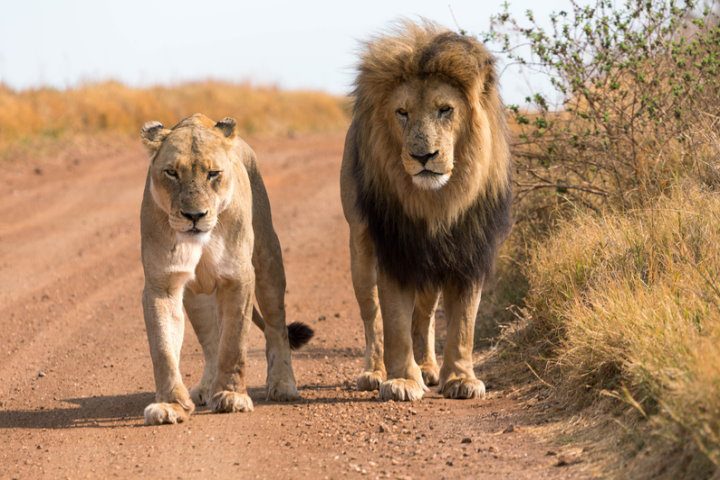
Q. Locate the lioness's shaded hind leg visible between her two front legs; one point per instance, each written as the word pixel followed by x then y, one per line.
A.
pixel 203 315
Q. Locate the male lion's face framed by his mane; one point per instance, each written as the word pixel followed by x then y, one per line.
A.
pixel 428 115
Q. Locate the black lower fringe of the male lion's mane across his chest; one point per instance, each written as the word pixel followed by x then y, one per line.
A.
pixel 462 254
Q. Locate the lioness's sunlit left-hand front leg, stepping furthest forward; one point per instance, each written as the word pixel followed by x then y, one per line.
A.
pixel 164 322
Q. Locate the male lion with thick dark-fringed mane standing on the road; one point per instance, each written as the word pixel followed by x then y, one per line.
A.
pixel 425 186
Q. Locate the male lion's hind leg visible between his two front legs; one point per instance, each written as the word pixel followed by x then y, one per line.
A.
pixel 423 332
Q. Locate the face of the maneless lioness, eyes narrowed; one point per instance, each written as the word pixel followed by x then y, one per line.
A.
pixel 188 180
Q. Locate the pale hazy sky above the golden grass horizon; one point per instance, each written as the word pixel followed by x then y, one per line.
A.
pixel 310 44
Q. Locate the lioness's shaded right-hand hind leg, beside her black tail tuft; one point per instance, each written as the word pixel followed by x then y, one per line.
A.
pixel 270 294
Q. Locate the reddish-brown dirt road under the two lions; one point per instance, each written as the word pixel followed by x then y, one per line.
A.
pixel 75 370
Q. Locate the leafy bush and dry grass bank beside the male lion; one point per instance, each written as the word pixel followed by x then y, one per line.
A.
pixel 616 246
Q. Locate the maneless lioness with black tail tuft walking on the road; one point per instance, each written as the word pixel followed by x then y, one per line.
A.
pixel 207 244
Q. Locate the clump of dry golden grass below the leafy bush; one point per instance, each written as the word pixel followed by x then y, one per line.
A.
pixel 631 305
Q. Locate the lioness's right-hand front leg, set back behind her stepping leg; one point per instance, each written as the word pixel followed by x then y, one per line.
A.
pixel 229 391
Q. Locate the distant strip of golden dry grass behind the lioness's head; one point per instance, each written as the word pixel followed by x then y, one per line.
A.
pixel 114 107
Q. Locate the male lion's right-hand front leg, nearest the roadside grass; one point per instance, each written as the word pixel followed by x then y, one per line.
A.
pixel 457 378
